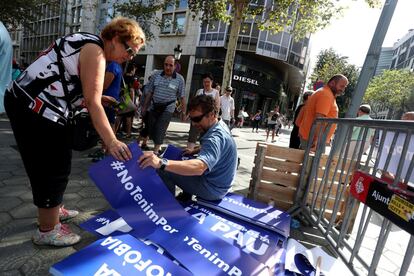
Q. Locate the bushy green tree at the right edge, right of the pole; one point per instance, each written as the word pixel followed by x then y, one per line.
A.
pixel 393 89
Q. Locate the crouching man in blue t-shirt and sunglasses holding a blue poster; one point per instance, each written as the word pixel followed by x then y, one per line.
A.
pixel 211 173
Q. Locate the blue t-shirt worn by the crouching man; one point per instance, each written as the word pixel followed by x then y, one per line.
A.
pixel 219 152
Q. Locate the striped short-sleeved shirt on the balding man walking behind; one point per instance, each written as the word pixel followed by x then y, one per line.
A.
pixel 166 89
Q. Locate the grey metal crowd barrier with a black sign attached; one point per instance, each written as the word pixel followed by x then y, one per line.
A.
pixel 323 197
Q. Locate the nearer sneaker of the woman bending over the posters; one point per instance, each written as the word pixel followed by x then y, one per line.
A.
pixel 61 235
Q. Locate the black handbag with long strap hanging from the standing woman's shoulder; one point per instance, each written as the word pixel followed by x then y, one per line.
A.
pixel 82 134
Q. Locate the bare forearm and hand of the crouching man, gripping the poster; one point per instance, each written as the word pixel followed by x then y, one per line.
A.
pixel 185 167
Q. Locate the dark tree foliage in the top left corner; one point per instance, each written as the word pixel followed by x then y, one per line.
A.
pixel 14 13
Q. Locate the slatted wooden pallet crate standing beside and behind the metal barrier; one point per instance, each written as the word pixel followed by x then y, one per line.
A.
pixel 276 175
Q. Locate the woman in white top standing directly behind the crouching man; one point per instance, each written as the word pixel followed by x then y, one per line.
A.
pixel 209 91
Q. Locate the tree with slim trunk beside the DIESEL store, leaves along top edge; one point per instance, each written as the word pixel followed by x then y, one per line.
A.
pixel 300 17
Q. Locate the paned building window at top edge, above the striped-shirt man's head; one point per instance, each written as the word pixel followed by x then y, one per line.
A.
pixel 174 17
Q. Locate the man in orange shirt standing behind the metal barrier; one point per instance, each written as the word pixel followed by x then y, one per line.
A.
pixel 322 104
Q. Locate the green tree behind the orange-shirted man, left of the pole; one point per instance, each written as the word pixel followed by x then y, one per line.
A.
pixel 330 63
